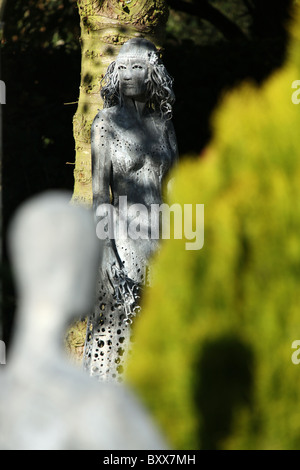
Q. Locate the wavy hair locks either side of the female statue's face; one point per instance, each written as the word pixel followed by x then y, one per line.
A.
pixel 160 95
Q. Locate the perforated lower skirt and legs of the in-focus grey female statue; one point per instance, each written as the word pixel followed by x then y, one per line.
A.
pixel 108 339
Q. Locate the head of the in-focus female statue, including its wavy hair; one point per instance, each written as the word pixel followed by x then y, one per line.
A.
pixel 139 73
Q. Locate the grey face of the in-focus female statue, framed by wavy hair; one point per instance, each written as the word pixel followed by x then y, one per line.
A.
pixel 133 75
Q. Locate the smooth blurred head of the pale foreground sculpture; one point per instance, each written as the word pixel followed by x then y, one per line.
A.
pixel 54 253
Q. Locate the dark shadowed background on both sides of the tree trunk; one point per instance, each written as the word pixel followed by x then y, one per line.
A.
pixel 206 51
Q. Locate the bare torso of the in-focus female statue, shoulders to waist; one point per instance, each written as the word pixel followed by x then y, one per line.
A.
pixel 141 158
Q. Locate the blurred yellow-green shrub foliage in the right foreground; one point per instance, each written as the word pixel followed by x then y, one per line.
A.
pixel 212 355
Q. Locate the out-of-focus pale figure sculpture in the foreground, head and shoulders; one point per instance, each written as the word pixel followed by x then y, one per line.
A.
pixel 45 402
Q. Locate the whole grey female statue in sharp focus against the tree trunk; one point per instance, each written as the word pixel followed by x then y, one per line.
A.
pixel 133 148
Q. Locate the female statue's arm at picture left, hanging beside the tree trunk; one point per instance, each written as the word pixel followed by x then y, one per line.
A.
pixel 101 162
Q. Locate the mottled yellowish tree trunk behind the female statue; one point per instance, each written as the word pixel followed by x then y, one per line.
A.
pixel 105 26
